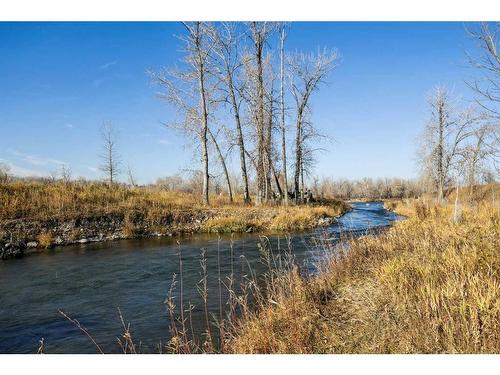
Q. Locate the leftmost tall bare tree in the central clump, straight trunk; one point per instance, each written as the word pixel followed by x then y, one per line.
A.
pixel 189 91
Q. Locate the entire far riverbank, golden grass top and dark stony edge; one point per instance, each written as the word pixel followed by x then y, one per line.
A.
pixel 36 216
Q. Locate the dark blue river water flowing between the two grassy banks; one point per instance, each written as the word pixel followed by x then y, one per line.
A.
pixel 90 282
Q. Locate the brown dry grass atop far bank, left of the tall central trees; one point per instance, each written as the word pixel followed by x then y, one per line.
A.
pixel 44 201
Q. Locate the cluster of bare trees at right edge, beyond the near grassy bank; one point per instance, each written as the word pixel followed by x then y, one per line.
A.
pixel 460 144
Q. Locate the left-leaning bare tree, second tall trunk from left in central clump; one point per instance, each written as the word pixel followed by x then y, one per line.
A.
pixel 227 67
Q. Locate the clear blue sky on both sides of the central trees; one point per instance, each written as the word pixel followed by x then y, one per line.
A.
pixel 60 81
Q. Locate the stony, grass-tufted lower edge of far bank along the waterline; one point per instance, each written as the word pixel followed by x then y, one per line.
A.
pixel 20 236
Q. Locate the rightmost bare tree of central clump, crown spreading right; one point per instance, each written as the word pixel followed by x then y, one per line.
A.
pixel 306 74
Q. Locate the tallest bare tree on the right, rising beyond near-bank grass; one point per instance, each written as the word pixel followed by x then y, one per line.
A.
pixel 443 137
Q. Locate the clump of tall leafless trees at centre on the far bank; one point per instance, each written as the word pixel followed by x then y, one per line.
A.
pixel 226 96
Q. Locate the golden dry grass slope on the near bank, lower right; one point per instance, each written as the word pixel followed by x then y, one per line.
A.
pixel 428 285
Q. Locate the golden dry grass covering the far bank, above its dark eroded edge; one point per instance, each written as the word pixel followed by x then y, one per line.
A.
pixel 43 202
